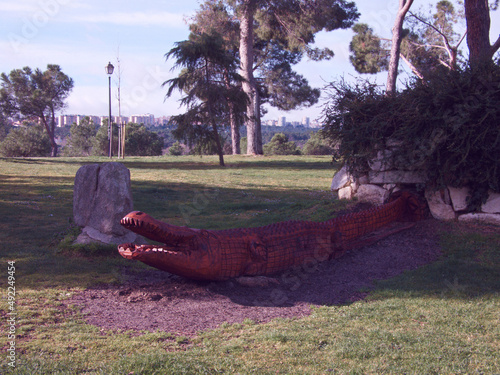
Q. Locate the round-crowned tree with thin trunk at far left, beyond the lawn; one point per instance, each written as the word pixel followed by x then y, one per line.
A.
pixel 36 95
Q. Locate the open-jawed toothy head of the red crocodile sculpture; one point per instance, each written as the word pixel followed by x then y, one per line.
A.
pixel 183 251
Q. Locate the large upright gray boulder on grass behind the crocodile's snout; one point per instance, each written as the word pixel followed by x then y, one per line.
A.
pixel 102 196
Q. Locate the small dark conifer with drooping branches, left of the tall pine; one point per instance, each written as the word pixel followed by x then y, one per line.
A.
pixel 205 62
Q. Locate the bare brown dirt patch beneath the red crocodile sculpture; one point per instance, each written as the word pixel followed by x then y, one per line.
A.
pixel 154 300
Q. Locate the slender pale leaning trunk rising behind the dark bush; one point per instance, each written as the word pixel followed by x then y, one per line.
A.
pixel 404 6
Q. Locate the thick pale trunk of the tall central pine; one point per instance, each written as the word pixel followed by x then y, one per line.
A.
pixel 249 85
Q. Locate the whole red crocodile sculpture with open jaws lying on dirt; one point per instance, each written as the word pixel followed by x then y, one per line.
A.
pixel 224 254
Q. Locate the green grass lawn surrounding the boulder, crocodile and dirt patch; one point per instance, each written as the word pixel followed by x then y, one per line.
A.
pixel 442 318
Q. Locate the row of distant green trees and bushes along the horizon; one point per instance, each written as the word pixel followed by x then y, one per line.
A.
pixel 89 139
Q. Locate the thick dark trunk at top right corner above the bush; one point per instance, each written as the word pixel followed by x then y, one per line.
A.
pixel 477 16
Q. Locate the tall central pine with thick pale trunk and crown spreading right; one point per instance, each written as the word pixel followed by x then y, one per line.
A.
pixel 293 23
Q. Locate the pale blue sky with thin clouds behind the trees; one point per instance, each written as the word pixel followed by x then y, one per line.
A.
pixel 83 36
